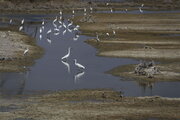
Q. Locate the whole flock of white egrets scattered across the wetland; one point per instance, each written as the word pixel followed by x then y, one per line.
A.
pixel 70 27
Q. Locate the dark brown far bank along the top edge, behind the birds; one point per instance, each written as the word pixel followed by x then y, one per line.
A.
pixel 30 6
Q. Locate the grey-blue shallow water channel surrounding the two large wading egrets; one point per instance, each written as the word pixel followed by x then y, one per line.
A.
pixel 50 73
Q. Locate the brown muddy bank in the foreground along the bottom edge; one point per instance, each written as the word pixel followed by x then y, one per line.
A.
pixel 88 105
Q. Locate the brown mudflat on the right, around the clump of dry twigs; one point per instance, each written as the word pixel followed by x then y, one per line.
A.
pixel 141 36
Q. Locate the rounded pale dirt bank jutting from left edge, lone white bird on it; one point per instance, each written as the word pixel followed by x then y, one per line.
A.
pixel 12 46
